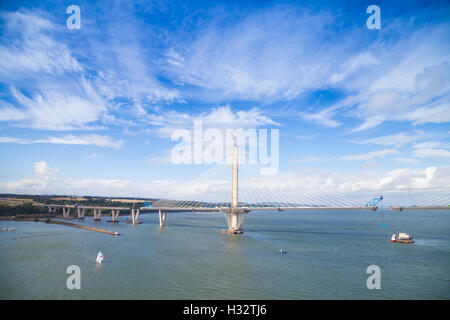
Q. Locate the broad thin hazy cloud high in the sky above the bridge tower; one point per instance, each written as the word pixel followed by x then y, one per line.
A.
pixel 261 56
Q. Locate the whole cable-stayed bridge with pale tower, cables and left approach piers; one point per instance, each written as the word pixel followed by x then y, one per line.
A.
pixel 236 202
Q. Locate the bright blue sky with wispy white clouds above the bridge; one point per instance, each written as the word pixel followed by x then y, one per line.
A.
pixel 92 111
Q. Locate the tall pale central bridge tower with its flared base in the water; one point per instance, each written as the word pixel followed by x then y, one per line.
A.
pixel 235 216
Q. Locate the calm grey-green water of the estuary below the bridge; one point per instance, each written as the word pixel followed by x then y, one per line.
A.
pixel 328 254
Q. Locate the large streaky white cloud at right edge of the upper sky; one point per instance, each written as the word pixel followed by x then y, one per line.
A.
pixel 412 84
